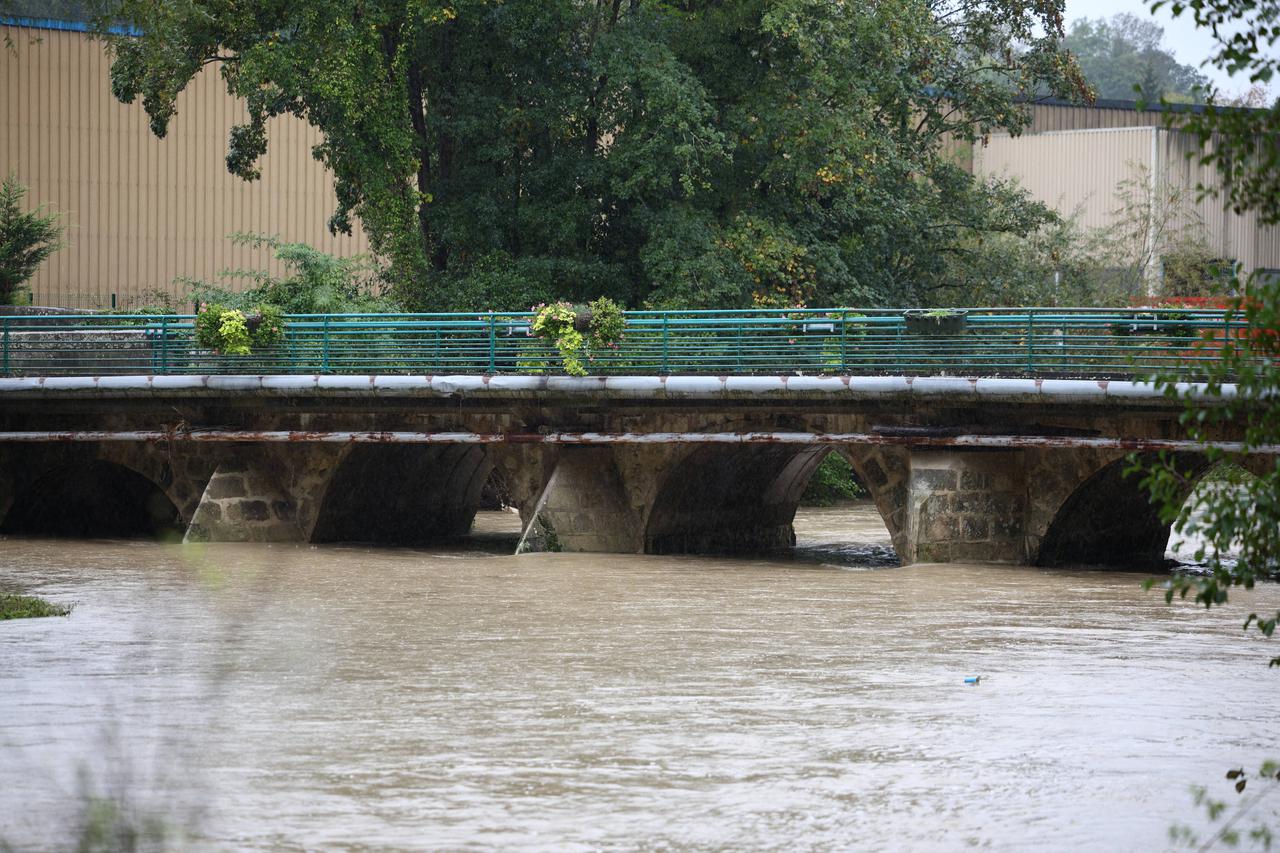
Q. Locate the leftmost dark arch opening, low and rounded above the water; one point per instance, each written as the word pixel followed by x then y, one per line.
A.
pixel 93 500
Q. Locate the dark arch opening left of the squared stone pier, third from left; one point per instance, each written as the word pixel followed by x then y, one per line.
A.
pixel 732 499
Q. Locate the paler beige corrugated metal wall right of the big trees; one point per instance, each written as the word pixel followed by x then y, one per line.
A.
pixel 1081 172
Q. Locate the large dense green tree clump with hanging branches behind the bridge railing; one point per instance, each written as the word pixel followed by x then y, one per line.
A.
pixel 650 150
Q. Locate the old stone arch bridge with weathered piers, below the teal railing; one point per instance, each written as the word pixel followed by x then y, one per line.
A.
pixel 1014 471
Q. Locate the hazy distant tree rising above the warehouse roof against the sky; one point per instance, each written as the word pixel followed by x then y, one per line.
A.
pixel 1126 56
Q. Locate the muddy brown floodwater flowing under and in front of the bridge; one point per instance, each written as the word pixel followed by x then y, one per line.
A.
pixel 348 699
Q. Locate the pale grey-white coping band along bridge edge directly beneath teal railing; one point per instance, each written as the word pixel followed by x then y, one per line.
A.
pixel 952 389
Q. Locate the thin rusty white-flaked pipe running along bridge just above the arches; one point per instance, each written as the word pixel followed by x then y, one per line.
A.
pixel 569 439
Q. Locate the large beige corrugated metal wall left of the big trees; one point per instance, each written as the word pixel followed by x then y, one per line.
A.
pixel 143 212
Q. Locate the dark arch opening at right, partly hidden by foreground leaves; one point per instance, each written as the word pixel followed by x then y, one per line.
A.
pixel 1110 521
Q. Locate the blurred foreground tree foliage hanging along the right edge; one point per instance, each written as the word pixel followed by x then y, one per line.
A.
pixel 1236 517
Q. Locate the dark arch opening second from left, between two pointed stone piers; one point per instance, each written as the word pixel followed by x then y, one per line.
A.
pixel 404 494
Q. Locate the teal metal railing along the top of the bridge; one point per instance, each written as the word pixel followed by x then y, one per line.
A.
pixel 1021 343
